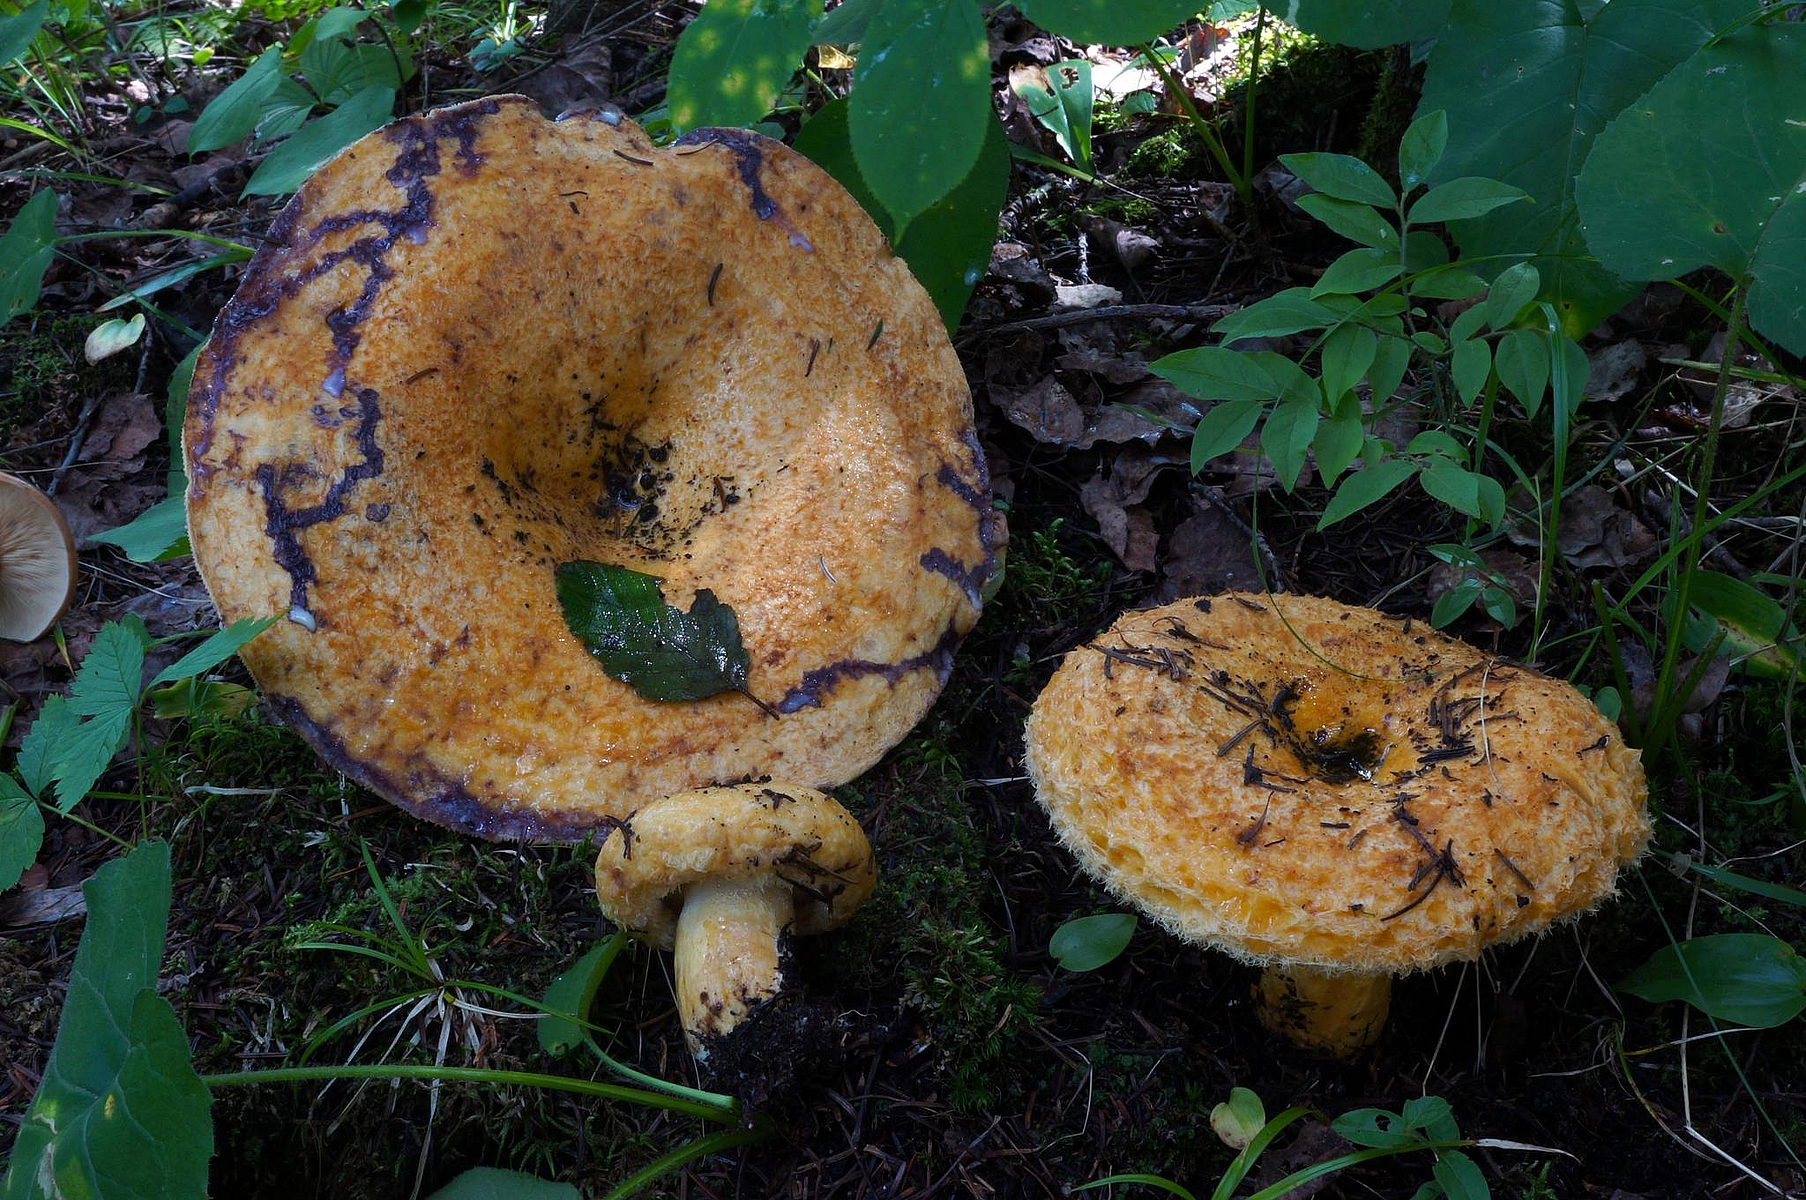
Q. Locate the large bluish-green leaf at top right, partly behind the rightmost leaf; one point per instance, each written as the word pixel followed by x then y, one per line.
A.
pixel 1527 89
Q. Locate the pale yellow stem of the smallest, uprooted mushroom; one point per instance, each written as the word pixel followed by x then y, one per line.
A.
pixel 729 953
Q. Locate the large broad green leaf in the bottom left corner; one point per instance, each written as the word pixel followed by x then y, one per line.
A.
pixel 120 1112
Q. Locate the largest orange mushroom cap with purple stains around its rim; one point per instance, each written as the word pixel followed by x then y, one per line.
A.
pixel 481 344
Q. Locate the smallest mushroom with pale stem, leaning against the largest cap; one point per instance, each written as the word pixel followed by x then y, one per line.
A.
pixel 723 877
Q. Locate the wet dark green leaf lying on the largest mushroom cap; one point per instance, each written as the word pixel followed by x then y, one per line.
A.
pixel 655 648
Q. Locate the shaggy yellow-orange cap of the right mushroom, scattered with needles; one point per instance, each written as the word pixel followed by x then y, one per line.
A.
pixel 1303 782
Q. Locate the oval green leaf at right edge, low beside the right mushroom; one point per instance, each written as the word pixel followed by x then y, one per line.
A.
pixel 1735 977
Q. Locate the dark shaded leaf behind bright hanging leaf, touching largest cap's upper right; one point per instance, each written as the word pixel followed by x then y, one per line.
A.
pixel 949 247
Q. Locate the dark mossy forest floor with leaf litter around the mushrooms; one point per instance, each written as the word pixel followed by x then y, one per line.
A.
pixel 964 1062
